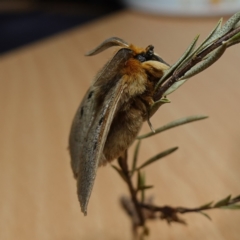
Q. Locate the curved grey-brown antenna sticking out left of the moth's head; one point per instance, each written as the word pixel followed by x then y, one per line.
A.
pixel 110 42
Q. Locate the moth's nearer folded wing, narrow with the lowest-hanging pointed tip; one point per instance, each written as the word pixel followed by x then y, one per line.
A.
pixel 94 144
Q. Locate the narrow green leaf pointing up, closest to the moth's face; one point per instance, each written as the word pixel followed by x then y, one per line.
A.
pixel 169 72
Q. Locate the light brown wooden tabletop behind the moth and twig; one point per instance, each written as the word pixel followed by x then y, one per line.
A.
pixel 42 84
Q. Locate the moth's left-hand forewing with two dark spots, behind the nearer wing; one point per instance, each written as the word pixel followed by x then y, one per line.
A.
pixel 87 110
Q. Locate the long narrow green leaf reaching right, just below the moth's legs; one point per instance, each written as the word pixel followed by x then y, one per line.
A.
pixel 173 124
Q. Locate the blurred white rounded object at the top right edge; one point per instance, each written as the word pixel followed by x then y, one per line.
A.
pixel 185 7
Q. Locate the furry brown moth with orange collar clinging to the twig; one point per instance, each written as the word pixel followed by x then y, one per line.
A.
pixel 112 111
